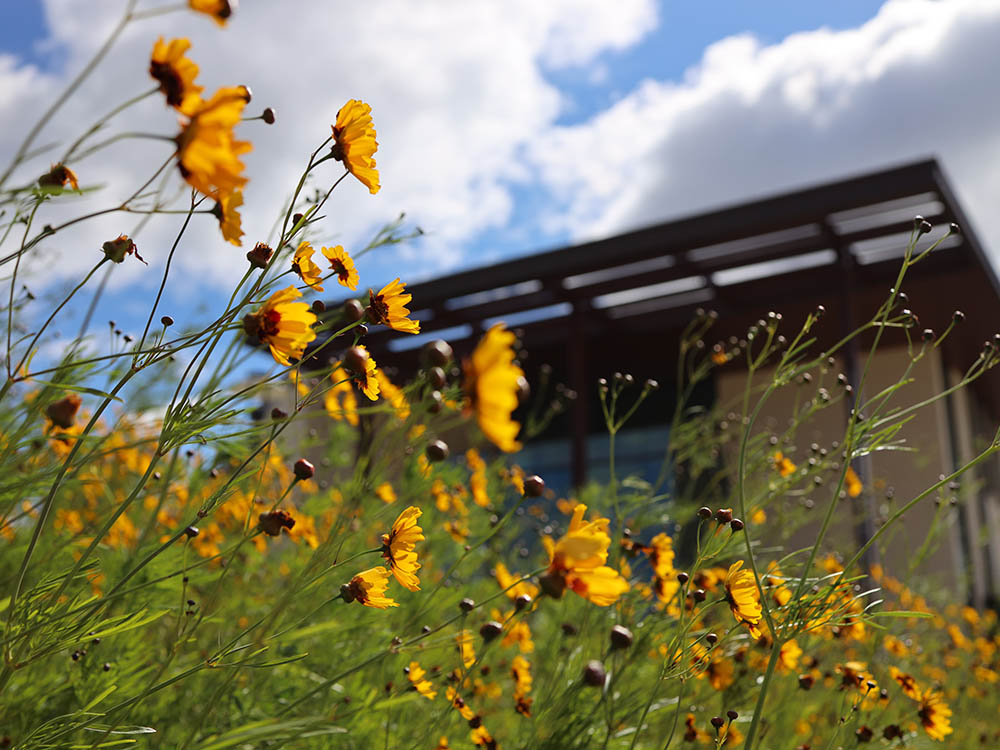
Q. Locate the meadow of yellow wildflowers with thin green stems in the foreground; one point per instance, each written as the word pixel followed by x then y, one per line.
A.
pixel 328 555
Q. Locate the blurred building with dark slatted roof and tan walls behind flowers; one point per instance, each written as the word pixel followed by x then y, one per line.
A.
pixel 621 304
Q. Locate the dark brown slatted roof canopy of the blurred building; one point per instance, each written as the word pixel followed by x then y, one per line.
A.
pixel 837 244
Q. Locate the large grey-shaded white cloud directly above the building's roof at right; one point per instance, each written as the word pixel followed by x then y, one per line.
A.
pixel 917 80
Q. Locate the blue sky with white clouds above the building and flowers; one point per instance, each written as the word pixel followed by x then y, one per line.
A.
pixel 505 128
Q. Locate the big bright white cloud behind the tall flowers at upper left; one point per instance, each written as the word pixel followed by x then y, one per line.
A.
pixel 457 89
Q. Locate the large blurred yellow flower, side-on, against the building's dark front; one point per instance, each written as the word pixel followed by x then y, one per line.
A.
pixel 492 384
